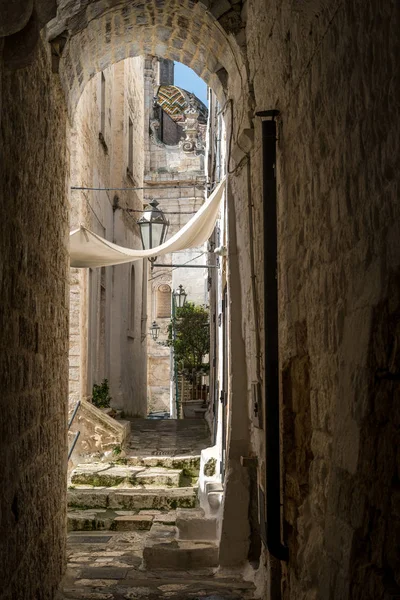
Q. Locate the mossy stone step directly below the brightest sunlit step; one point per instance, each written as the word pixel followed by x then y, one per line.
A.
pixel 133 499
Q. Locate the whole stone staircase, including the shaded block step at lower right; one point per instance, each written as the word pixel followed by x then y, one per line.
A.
pixel 155 494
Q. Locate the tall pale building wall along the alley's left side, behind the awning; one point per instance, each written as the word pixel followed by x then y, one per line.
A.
pixel 108 324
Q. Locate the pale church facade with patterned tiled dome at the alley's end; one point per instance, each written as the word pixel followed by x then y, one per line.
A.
pixel 174 175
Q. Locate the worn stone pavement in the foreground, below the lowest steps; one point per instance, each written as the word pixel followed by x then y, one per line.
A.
pixel 107 566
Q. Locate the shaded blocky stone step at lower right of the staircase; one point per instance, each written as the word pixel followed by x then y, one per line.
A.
pixel 163 550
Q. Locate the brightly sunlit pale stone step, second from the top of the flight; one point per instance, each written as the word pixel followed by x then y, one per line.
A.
pixel 111 475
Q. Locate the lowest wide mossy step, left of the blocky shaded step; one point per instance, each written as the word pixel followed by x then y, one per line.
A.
pixel 109 520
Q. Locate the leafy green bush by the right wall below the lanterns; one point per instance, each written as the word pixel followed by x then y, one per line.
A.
pixel 192 337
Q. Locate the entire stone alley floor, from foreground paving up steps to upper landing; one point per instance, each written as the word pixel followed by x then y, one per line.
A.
pixel 138 531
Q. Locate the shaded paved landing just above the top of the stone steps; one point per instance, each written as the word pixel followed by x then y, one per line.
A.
pixel 168 437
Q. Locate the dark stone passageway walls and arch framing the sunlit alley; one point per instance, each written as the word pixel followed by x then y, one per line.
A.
pixel 331 69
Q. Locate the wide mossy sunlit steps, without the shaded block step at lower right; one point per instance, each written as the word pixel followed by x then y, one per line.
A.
pixel 130 484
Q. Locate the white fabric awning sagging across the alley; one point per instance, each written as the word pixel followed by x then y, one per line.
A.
pixel 87 249
